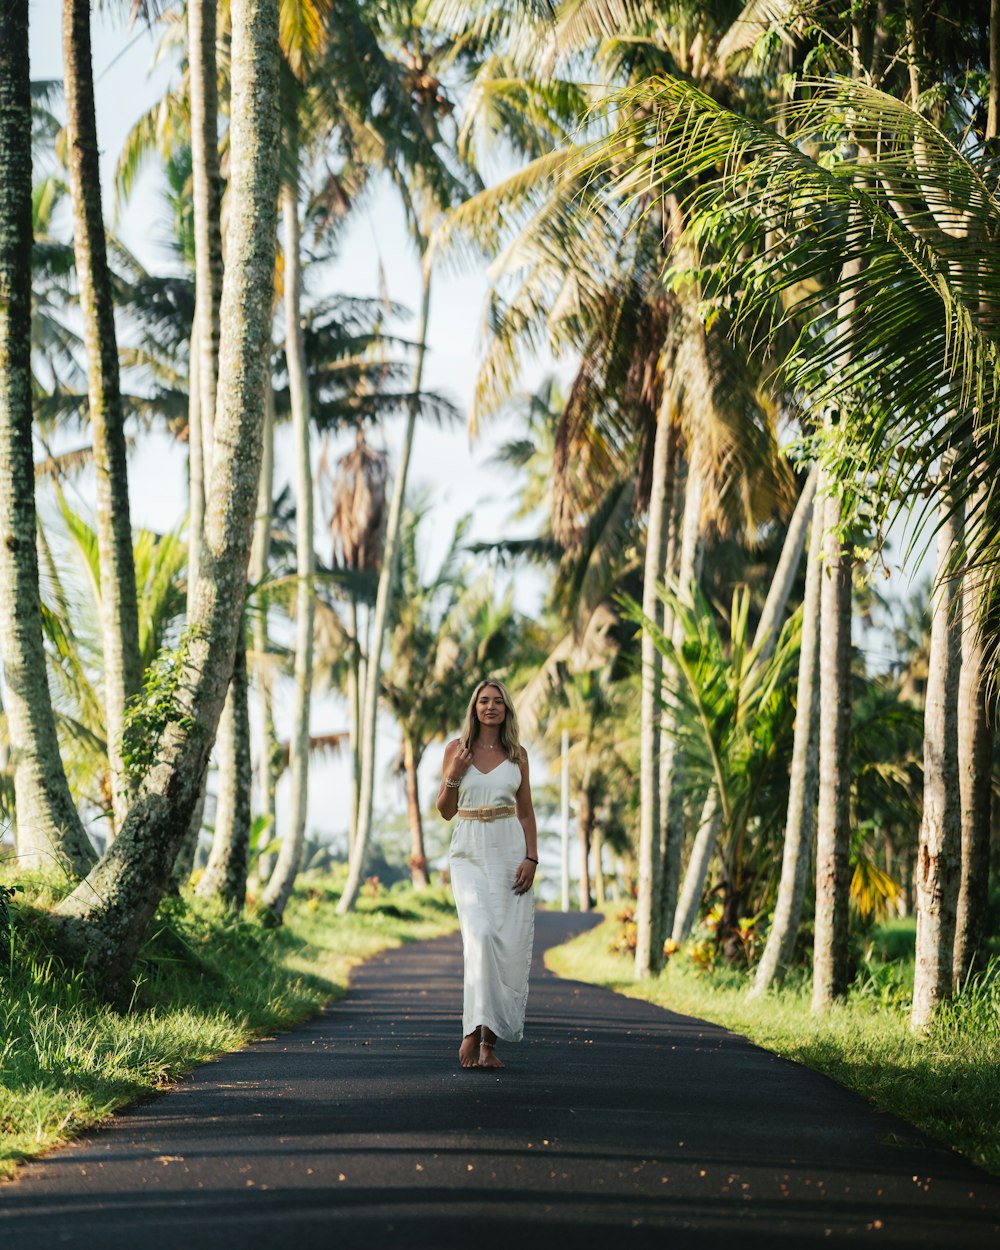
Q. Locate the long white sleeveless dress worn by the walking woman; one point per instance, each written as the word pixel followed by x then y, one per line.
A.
pixel 498 926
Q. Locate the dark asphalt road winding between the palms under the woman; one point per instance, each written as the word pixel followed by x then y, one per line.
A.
pixel 614 1123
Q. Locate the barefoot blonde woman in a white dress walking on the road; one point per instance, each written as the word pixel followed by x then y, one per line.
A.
pixel 493 859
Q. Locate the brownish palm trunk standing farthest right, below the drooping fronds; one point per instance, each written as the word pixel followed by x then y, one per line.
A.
pixel 976 762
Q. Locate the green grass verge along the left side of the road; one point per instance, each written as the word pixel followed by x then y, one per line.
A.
pixel 207 984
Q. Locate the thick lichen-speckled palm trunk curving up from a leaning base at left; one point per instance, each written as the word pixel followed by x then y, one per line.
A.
pixel 106 919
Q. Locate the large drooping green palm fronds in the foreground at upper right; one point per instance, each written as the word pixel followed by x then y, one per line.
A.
pixel 896 391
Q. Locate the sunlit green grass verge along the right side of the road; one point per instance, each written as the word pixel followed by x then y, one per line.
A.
pixel 947 1084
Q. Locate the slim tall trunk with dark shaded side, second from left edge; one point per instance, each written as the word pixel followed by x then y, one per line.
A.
pixel 123 666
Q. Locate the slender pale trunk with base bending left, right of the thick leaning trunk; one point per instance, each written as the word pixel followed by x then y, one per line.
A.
pixel 291 856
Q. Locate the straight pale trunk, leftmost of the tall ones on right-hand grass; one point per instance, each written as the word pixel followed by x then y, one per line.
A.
pixel 649 934
